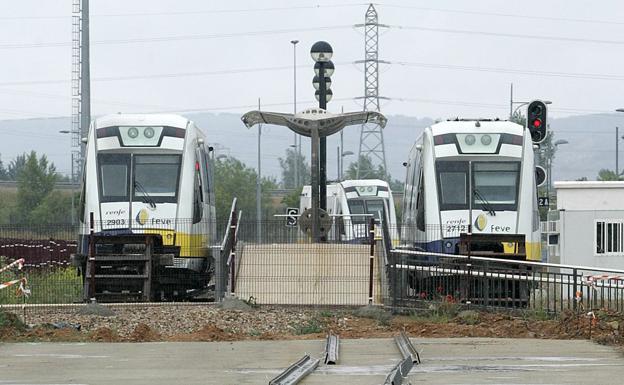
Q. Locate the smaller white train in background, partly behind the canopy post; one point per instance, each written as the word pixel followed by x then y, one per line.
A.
pixel 351 204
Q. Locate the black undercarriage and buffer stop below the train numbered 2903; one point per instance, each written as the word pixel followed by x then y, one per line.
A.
pixel 138 268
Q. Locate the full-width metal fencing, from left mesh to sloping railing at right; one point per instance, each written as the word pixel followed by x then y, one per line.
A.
pixel 270 262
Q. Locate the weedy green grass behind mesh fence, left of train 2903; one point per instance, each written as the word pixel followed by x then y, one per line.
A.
pixel 47 285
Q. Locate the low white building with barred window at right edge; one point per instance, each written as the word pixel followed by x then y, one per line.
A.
pixel 589 230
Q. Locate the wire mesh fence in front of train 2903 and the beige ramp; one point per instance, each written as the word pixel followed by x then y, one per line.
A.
pixel 268 262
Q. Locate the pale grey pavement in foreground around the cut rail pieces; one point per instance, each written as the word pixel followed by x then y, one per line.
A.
pixel 361 361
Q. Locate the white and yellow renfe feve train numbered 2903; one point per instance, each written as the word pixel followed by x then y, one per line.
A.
pixel 150 174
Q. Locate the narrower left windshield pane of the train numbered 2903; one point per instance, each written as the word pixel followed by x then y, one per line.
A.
pixel 113 177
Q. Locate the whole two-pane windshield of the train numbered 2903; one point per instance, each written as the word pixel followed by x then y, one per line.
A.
pixel 155 177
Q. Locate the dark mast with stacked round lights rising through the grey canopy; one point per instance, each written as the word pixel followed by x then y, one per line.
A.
pixel 321 53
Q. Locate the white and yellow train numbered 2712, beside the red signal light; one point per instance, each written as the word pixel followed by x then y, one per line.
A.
pixel 472 172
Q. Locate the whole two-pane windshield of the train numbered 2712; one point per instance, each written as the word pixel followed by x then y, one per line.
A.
pixel 495 185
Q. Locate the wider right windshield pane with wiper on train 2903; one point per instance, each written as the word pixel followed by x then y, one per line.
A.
pixel 157 177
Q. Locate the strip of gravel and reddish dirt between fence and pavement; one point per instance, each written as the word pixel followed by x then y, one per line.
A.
pixel 195 323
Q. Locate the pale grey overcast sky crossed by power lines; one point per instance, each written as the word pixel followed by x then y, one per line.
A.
pixel 449 58
